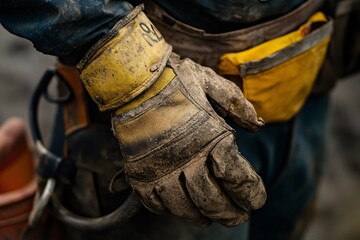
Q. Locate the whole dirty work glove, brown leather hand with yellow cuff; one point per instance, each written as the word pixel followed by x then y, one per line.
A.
pixel 180 155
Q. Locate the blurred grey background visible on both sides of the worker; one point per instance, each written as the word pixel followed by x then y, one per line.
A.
pixel 338 207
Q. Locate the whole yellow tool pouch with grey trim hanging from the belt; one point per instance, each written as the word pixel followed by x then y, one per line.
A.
pixel 278 75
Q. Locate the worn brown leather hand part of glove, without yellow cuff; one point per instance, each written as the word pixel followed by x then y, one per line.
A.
pixel 180 155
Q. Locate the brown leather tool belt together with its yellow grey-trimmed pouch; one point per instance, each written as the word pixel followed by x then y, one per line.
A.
pixel 275 63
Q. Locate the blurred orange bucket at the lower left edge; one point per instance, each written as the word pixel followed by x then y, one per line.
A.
pixel 17 179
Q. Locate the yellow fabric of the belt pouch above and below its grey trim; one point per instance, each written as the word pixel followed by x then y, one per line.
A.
pixel 279 93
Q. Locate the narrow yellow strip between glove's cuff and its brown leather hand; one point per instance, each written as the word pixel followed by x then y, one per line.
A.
pixel 165 78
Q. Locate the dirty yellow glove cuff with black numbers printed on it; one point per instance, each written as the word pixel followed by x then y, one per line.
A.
pixel 126 65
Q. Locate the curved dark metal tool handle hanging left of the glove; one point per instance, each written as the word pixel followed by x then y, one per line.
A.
pixel 120 216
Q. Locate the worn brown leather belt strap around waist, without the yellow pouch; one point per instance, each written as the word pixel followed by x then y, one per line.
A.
pixel 206 48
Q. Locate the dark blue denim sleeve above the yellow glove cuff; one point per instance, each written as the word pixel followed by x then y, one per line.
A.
pixel 61 27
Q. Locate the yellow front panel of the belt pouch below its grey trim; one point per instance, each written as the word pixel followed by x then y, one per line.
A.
pixel 279 93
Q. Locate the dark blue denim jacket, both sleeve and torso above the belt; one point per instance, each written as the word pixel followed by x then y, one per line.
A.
pixel 65 27
